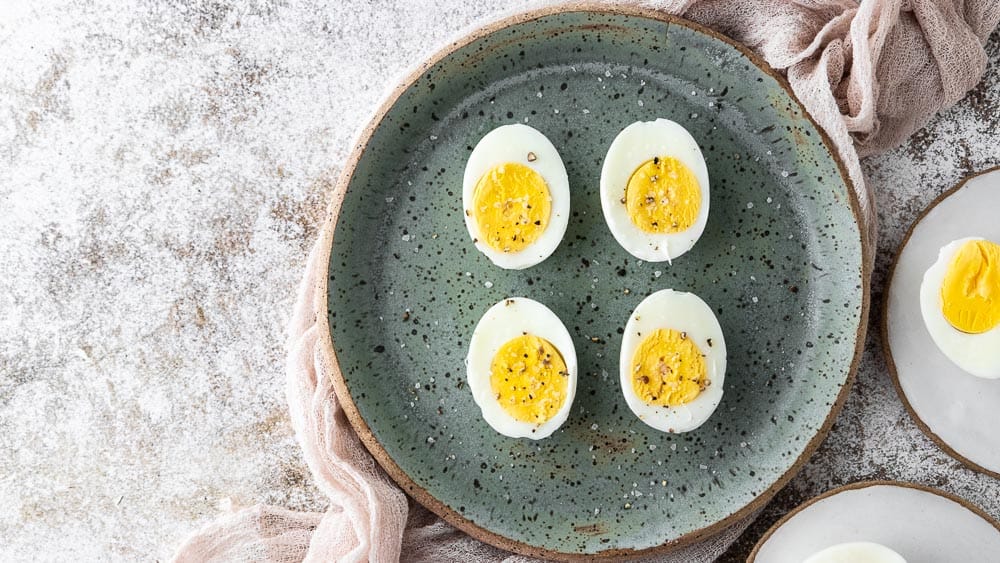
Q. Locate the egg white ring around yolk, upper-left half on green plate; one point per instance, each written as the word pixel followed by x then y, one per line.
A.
pixel 512 143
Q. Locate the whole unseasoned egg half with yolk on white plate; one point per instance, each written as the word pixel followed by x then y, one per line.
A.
pixel 960 304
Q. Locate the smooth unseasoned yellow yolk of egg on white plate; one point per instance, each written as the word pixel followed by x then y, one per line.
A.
pixel 970 293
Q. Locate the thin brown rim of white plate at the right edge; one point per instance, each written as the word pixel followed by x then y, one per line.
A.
pixel 884 331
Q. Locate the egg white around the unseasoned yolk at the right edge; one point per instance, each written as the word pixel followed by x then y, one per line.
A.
pixel 977 354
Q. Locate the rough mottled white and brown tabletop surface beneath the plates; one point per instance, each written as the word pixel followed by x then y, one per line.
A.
pixel 163 170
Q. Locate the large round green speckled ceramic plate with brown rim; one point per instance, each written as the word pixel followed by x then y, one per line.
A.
pixel 781 263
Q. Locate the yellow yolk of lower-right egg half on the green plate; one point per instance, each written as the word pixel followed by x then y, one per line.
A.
pixel 668 369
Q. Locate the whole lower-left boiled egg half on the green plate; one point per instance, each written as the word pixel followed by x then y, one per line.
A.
pixel 522 369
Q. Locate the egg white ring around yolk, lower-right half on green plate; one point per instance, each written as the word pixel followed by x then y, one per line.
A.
pixel 683 312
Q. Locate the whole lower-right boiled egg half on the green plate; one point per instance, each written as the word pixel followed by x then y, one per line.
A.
pixel 673 361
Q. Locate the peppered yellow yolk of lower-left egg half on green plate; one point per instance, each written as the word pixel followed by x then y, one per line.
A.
pixel 529 379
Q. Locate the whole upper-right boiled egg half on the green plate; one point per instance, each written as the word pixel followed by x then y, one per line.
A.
pixel 654 190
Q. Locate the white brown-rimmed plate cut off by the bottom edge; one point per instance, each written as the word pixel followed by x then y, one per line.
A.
pixel 918 522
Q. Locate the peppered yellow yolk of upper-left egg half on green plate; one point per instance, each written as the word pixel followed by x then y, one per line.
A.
pixel 511 206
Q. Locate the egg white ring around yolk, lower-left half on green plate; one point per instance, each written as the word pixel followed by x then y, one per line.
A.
pixel 503 322
